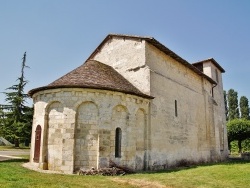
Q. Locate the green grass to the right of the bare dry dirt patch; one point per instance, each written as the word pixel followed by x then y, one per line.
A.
pixel 228 175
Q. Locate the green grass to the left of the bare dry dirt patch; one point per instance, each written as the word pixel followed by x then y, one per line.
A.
pixel 12 174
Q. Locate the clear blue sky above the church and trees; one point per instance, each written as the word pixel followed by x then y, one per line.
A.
pixel 58 35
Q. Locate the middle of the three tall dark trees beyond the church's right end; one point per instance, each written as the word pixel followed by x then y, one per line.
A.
pixel 233 110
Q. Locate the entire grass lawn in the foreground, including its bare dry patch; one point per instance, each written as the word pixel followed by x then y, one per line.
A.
pixel 224 175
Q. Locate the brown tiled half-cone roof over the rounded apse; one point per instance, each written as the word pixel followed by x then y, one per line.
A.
pixel 95 75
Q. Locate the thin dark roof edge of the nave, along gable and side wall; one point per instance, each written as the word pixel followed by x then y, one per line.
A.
pixel 158 45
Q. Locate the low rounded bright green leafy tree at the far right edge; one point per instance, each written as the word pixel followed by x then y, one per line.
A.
pixel 238 129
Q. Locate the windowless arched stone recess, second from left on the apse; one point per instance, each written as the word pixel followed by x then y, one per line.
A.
pixel 86 135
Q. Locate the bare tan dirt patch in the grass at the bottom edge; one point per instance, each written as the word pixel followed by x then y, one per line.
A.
pixel 140 183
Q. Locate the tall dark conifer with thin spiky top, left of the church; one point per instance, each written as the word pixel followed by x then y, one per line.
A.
pixel 17 117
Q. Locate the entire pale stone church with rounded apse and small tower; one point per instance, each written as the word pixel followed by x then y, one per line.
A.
pixel 133 102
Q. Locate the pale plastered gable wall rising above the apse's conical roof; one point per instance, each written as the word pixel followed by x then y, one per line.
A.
pixel 128 58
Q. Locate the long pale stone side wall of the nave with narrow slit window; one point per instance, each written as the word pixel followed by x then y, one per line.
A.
pixel 183 114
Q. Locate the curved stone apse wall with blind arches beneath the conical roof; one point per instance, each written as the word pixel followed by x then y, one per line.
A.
pixel 78 128
